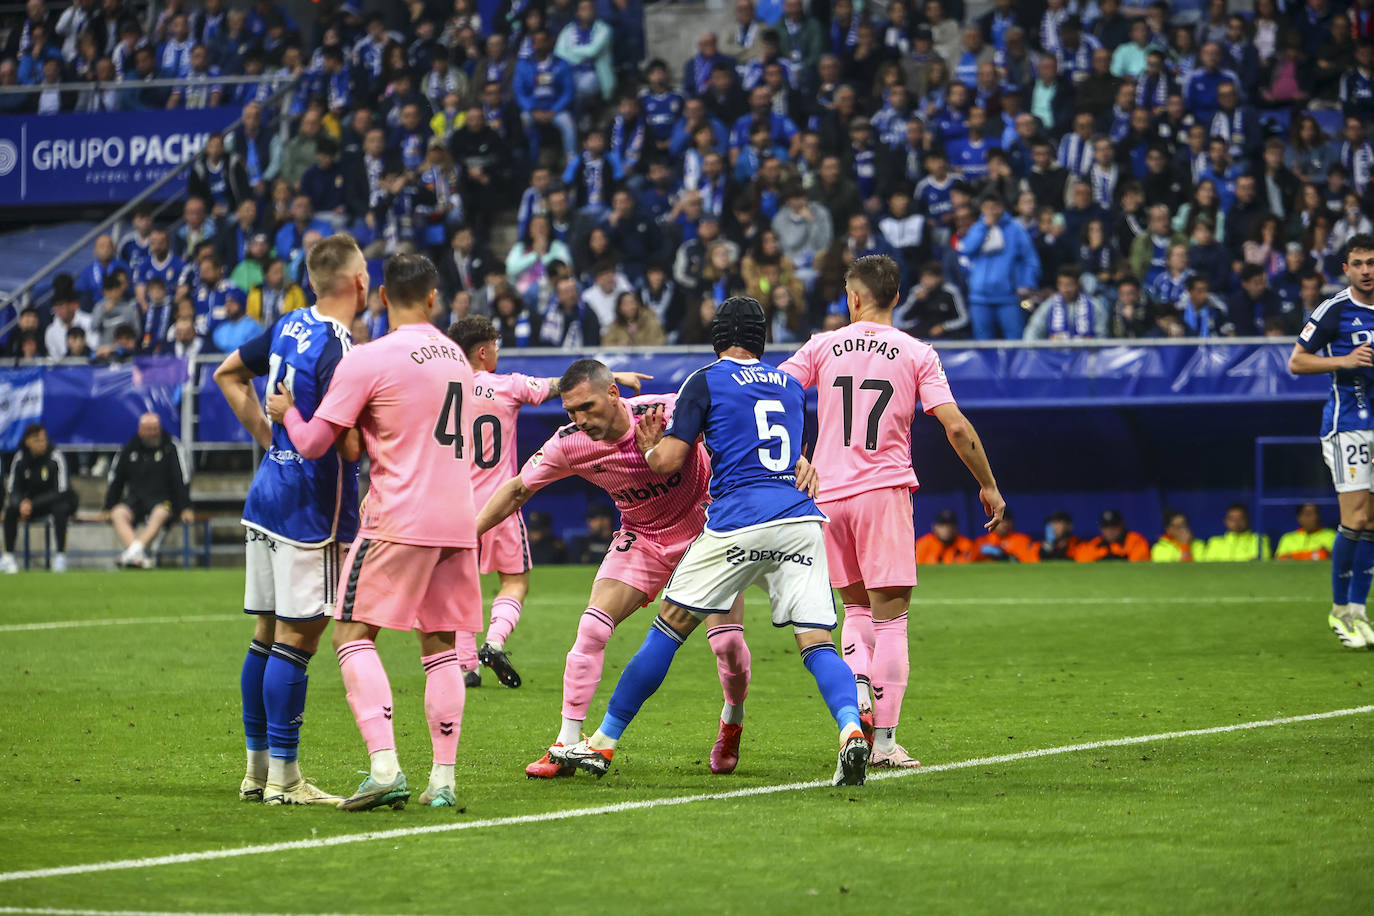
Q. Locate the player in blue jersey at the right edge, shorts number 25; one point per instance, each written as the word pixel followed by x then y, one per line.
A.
pixel 1338 341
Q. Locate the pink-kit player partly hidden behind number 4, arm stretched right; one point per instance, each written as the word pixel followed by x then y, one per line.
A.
pixel 505 550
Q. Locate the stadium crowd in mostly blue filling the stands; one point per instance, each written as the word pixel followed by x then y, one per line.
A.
pixel 1049 170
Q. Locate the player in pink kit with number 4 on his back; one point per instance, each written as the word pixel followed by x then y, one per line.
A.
pixel 414 564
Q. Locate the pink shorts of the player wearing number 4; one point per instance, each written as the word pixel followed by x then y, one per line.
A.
pixel 405 587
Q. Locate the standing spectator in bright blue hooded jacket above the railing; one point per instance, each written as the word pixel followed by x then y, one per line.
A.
pixel 1004 271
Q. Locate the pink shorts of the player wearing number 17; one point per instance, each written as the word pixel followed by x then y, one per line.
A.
pixel 870 539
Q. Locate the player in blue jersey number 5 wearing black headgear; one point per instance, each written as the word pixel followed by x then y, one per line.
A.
pixel 763 529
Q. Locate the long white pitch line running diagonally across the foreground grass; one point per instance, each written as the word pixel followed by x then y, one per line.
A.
pixel 347 840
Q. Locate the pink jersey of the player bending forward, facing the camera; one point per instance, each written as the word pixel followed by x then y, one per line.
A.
pixel 666 509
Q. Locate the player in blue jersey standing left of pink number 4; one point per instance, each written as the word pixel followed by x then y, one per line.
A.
pixel 299 514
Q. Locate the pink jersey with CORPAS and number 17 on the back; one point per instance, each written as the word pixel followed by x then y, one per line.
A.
pixel 869 378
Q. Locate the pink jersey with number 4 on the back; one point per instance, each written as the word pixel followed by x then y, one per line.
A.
pixel 410 395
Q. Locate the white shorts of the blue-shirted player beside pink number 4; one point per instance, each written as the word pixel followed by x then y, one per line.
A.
pixel 293 583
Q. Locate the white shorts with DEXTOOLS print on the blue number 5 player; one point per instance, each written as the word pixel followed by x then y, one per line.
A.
pixel 787 561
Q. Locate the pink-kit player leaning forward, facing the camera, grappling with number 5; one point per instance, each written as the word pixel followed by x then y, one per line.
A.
pixel 662 514
